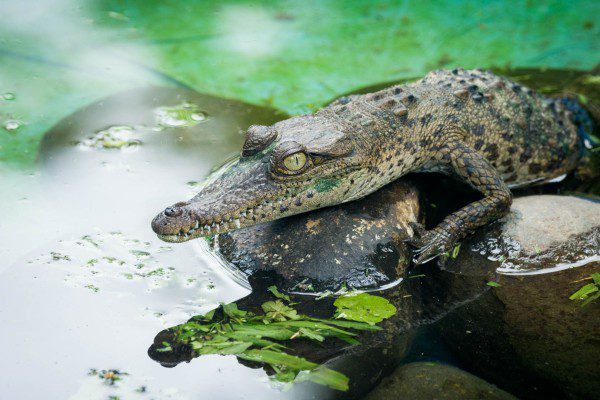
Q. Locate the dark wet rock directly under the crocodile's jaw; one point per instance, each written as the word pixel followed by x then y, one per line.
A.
pixel 359 244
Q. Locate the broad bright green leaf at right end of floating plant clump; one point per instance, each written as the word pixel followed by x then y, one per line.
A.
pixel 363 307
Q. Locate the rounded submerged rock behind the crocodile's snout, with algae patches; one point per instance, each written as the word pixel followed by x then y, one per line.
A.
pixel 150 127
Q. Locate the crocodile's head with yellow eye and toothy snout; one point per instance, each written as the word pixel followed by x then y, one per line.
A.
pixel 294 166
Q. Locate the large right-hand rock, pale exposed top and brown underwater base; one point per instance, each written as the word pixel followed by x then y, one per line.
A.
pixel 526 334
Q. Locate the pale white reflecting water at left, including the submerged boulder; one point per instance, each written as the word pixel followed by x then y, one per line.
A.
pixel 85 283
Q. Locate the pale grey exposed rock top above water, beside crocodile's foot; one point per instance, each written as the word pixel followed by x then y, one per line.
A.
pixel 542 234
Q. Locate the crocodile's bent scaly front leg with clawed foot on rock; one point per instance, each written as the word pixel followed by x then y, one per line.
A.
pixel 481 175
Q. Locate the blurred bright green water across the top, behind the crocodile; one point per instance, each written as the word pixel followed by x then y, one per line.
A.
pixel 59 55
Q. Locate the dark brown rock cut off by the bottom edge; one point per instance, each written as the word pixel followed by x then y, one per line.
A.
pixel 434 381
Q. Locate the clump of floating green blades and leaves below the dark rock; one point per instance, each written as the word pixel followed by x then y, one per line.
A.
pixel 258 337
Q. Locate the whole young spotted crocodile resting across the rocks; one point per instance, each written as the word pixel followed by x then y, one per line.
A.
pixel 483 129
